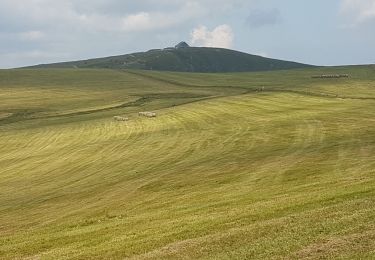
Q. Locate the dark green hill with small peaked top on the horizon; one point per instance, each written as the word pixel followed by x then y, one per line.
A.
pixel 184 58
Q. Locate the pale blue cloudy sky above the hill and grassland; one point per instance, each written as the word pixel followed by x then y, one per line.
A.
pixel 319 32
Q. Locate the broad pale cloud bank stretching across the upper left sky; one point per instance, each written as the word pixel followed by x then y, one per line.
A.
pixel 77 14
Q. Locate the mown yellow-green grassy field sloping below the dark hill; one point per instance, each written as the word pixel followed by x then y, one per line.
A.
pixel 272 165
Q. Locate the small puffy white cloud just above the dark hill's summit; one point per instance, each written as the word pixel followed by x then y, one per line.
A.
pixel 222 36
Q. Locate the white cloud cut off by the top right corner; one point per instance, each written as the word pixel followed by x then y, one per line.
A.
pixel 358 11
